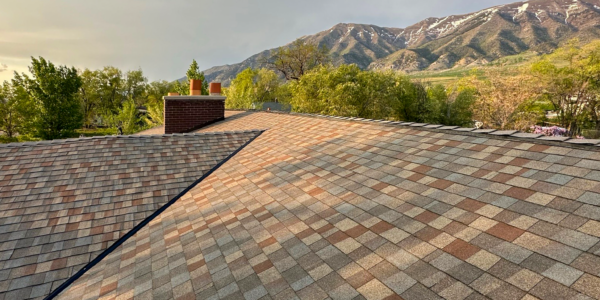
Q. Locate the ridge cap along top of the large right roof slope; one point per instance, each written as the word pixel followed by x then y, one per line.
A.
pixel 494 133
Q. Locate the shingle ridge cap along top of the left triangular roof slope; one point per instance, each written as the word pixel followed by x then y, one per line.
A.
pixel 131 136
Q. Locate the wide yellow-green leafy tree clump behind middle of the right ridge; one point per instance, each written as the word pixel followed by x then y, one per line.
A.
pixel 349 91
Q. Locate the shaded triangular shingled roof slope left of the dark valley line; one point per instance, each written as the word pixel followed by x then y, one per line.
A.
pixel 63 202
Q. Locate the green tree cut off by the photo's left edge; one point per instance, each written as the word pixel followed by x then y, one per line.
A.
pixel 15 110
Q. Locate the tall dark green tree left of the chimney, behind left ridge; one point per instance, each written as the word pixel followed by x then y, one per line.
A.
pixel 54 94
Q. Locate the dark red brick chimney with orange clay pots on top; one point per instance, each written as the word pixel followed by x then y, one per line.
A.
pixel 188 113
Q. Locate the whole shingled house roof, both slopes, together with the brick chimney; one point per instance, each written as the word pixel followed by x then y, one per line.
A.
pixel 258 205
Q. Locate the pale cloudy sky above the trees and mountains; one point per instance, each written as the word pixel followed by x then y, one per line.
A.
pixel 162 37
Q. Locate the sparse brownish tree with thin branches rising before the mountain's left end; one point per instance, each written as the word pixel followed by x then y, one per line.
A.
pixel 297 59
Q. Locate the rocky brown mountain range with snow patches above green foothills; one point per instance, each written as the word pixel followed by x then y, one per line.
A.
pixel 444 43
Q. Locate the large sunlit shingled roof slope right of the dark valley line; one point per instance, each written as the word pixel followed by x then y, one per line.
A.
pixel 319 208
